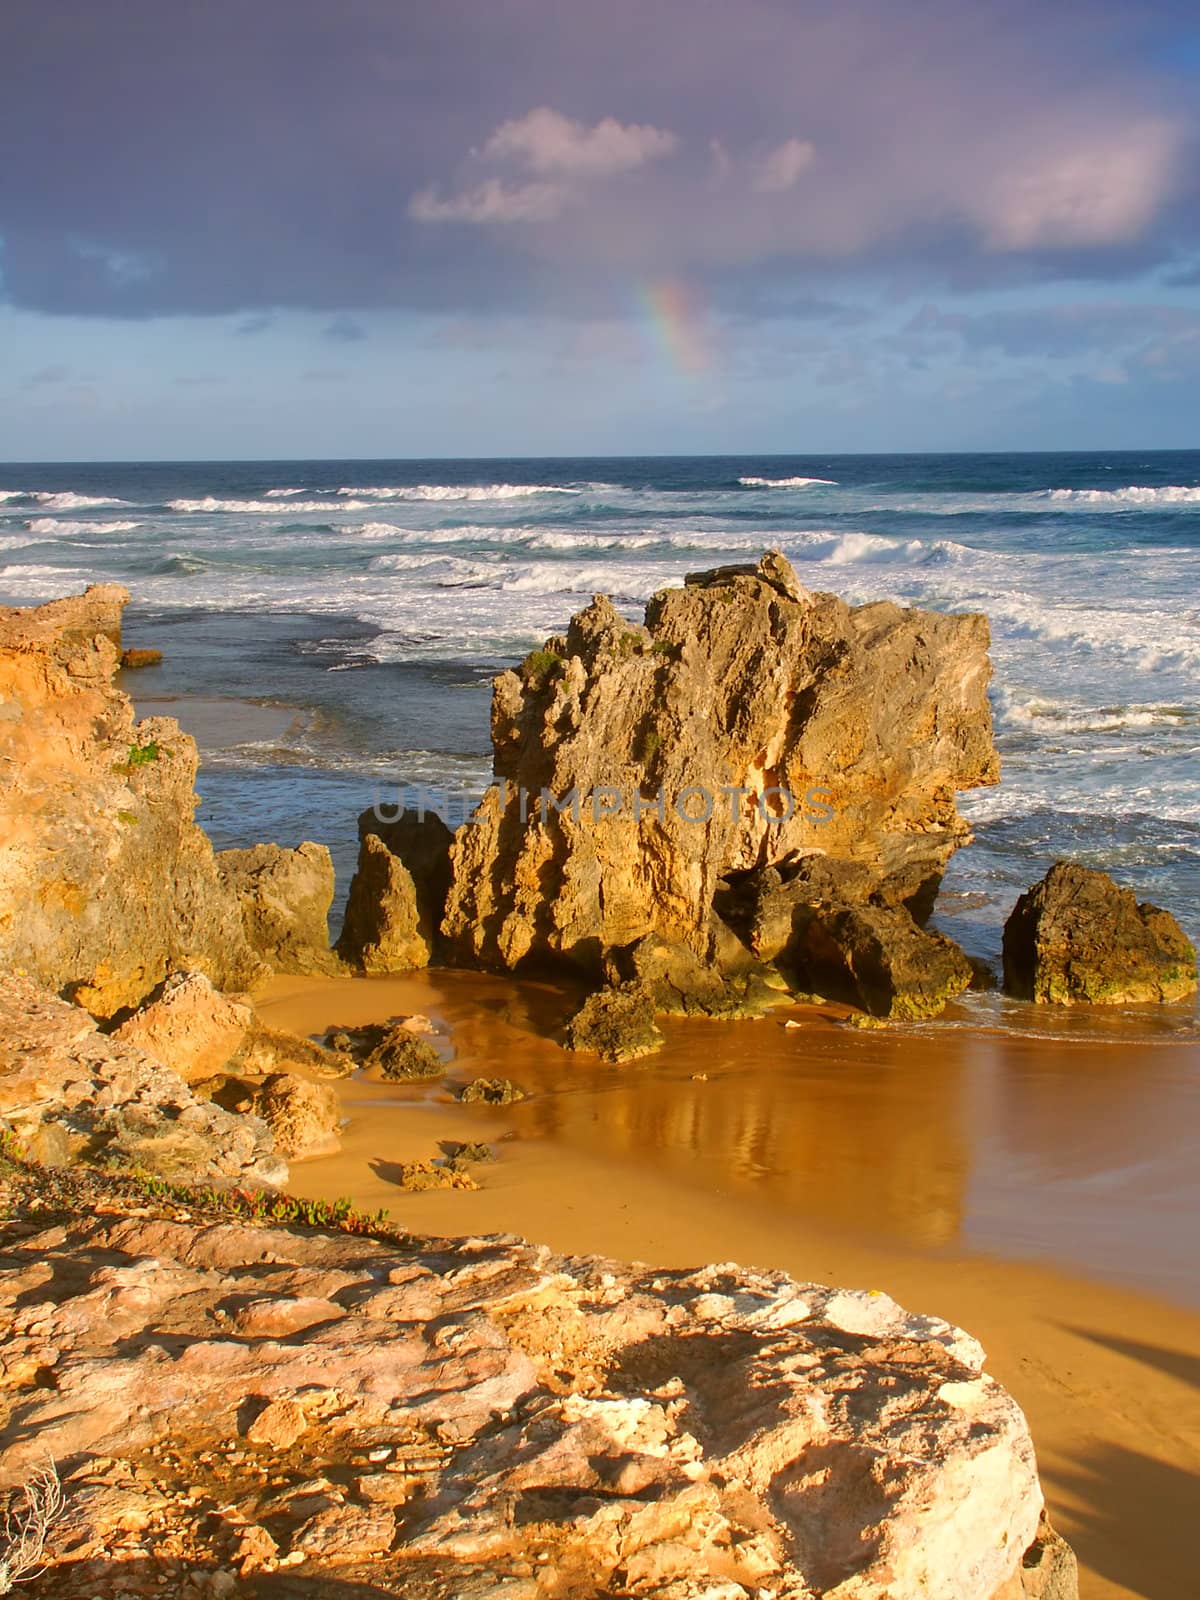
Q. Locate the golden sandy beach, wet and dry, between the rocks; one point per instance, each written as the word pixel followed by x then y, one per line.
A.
pixel 1039 1193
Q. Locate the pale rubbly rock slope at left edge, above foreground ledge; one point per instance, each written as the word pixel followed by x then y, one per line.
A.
pixel 63 1081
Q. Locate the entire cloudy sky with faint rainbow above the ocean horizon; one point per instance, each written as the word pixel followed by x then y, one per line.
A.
pixel 495 228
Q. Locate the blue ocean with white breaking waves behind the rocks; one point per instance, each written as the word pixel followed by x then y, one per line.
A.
pixel 380 598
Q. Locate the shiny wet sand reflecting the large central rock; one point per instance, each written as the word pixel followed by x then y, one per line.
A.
pixel 1078 1150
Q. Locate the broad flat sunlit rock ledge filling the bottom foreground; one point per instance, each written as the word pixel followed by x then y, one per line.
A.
pixel 497 1422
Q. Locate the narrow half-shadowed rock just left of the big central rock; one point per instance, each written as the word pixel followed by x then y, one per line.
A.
pixel 398 894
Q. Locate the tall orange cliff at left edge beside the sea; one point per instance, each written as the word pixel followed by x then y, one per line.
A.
pixel 106 882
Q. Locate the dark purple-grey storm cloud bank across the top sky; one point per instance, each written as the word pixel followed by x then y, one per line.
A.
pixel 206 156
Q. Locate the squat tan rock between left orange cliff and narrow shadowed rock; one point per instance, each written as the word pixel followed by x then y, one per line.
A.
pixel 286 898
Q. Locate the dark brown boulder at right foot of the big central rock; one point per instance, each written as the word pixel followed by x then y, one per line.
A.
pixel 876 958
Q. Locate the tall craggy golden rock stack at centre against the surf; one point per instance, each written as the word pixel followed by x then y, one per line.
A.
pixel 746 724
